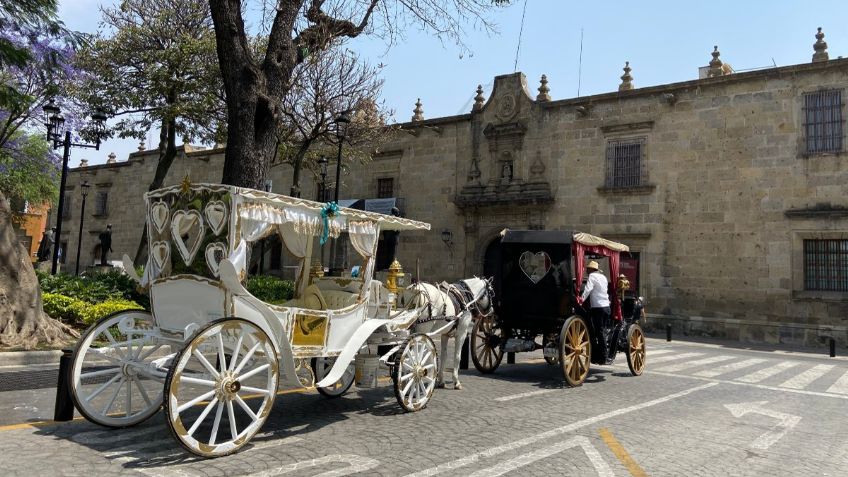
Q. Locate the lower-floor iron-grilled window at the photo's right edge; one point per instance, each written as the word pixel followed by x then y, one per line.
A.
pixel 826 265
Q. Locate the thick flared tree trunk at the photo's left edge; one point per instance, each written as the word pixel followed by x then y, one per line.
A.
pixel 23 323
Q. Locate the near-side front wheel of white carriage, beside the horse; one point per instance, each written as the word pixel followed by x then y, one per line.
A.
pixel 414 372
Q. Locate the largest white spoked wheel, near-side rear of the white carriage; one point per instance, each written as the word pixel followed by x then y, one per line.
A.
pixel 240 389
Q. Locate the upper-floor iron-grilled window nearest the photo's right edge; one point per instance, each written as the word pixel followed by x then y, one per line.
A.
pixel 823 121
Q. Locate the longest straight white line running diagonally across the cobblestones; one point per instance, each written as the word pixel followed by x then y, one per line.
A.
pixel 551 433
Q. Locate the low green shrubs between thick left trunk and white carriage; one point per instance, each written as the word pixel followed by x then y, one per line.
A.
pixel 95 288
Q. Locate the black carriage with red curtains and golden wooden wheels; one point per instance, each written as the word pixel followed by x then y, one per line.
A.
pixel 537 287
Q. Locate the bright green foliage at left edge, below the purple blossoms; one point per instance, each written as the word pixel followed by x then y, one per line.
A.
pixel 27 172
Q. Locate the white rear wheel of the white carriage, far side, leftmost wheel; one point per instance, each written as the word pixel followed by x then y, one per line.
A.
pixel 113 380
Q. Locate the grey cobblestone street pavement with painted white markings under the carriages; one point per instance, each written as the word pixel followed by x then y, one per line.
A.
pixel 698 410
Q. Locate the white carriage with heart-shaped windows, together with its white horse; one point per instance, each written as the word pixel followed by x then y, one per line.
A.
pixel 215 356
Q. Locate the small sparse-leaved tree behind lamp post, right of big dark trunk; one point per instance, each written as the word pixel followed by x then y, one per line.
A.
pixel 324 87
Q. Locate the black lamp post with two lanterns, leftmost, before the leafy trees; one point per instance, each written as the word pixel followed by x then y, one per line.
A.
pixel 55 123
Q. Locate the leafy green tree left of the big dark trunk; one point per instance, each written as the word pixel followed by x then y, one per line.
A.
pixel 157 69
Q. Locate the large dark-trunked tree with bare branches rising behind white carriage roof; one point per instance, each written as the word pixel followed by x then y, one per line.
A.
pixel 255 89
